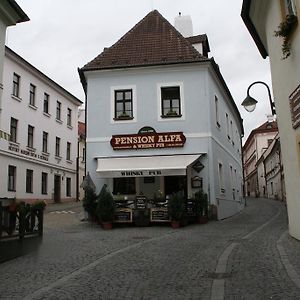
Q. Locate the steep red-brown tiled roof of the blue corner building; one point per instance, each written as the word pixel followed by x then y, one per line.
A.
pixel 152 41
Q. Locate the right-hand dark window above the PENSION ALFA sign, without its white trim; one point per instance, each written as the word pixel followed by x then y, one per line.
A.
pixel 170 102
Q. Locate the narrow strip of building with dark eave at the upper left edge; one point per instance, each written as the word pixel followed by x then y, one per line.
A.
pixel 10 14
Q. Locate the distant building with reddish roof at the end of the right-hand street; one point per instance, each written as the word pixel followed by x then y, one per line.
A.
pixel 255 145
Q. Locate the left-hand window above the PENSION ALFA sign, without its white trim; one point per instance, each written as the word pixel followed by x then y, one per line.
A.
pixel 123 105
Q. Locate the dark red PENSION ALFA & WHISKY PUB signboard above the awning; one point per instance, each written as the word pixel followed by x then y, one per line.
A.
pixel 148 140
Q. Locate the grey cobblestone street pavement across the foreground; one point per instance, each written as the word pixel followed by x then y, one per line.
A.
pixel 248 256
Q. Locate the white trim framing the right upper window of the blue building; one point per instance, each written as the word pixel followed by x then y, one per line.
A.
pixel 182 106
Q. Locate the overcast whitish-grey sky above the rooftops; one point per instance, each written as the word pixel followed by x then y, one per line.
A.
pixel 63 35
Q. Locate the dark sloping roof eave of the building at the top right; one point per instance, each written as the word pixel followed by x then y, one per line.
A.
pixel 245 14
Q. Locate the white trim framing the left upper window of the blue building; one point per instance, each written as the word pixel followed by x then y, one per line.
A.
pixel 112 103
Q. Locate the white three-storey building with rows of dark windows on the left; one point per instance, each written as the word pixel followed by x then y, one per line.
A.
pixel 39 160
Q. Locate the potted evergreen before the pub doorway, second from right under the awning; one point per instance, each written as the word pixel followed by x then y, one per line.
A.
pixel 176 209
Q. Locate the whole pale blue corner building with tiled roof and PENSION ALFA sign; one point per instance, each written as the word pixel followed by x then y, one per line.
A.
pixel 168 121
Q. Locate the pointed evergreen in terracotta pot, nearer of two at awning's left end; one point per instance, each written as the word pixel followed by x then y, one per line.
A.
pixel 105 208
